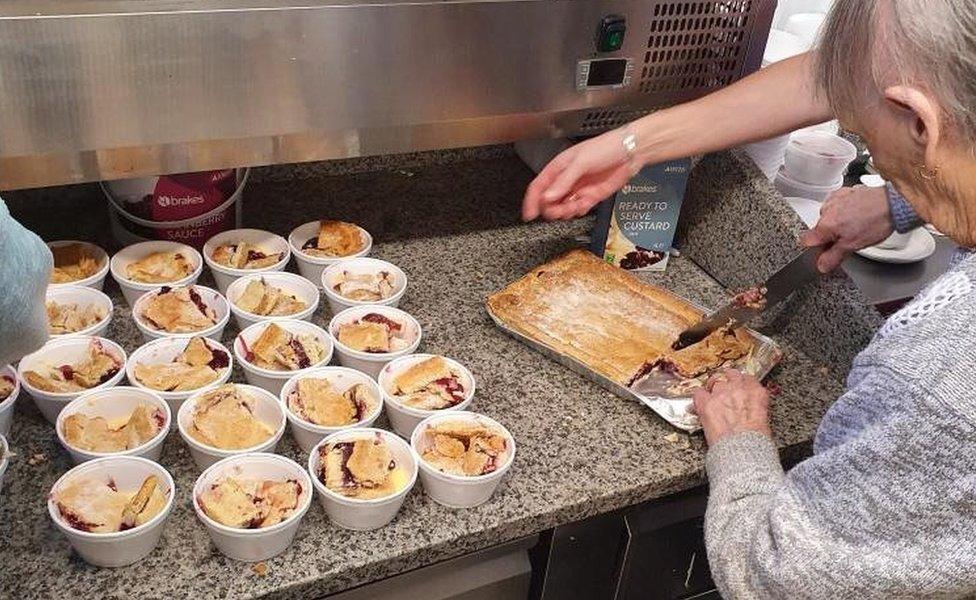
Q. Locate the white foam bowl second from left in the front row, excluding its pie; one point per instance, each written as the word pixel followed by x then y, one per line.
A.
pixel 252 545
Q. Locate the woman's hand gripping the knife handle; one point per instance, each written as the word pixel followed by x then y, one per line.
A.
pixel 850 219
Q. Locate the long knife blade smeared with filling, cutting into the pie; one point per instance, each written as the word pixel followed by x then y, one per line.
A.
pixel 797 273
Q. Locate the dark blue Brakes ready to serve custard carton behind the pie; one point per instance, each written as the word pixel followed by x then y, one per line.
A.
pixel 635 228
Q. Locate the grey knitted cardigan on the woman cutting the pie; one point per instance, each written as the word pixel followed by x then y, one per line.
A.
pixel 886 506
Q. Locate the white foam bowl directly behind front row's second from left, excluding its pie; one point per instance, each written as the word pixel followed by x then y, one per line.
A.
pixel 266 408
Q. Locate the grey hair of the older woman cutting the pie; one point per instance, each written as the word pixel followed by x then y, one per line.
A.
pixel 926 43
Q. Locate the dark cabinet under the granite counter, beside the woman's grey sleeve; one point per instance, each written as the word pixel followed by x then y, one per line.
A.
pixel 654 551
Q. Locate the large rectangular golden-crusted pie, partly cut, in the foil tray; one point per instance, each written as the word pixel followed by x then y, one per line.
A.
pixel 611 321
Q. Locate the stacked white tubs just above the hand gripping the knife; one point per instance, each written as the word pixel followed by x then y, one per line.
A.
pixel 814 165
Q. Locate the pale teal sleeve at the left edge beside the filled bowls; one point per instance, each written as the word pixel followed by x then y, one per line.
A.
pixel 25 268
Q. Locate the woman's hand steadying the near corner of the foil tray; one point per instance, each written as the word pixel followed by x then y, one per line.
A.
pixel 732 402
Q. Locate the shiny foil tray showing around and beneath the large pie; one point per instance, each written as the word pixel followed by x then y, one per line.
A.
pixel 666 395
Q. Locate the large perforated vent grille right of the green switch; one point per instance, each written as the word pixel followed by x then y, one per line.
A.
pixel 696 46
